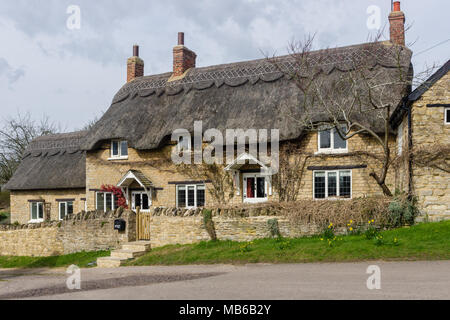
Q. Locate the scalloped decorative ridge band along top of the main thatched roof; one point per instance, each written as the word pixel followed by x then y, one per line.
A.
pixel 237 74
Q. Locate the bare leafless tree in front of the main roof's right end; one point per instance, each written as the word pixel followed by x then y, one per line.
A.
pixel 354 99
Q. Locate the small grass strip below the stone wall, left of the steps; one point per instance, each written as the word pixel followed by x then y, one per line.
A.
pixel 81 259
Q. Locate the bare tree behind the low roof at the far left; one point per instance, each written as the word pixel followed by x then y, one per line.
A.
pixel 16 134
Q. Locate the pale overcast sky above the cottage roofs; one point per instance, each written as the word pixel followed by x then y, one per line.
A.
pixel 72 75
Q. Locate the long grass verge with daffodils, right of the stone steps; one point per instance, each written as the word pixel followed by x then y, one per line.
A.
pixel 425 241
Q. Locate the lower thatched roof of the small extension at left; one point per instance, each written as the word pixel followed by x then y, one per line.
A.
pixel 52 162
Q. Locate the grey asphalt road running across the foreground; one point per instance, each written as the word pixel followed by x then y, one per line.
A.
pixel 399 280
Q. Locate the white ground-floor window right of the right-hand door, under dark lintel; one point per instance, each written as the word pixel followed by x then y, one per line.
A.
pixel 332 184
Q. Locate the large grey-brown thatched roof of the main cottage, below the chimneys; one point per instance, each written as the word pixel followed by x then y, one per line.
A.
pixel 253 94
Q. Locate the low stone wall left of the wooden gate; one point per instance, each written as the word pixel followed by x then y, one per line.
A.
pixel 86 231
